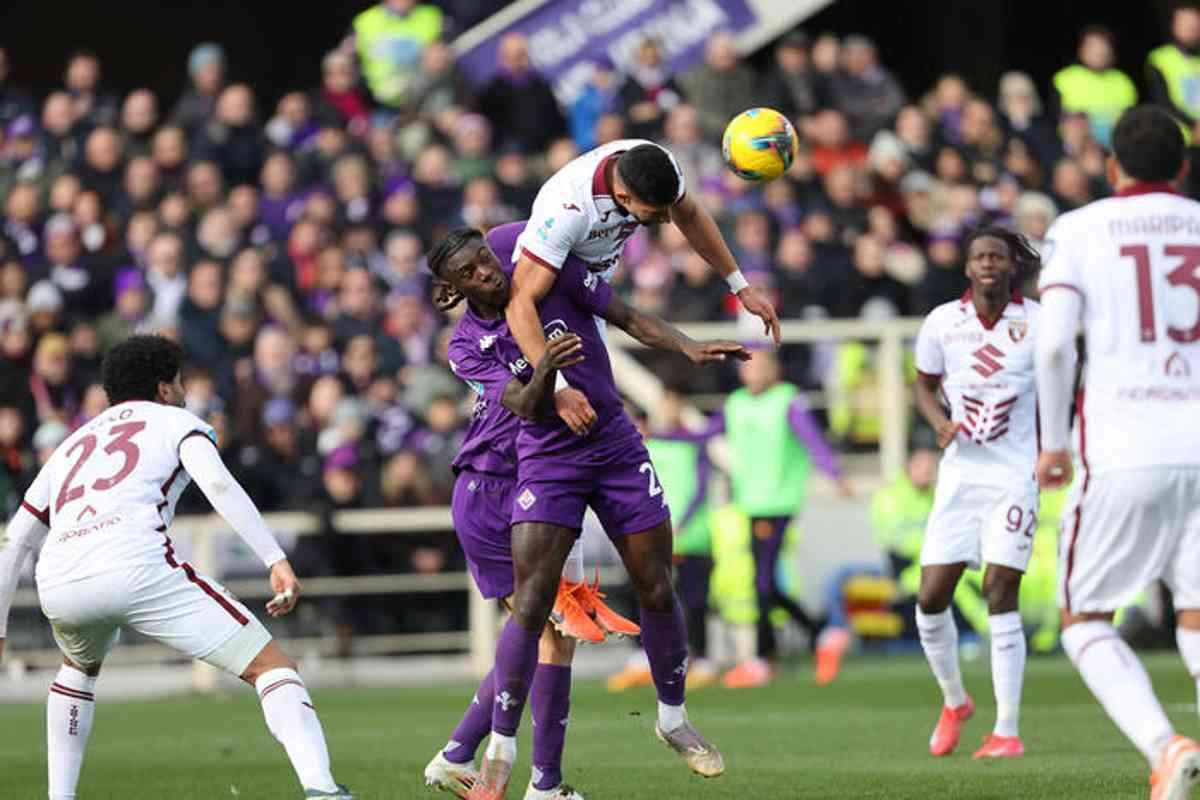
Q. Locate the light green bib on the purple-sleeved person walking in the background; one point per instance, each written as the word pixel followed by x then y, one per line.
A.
pixel 770 467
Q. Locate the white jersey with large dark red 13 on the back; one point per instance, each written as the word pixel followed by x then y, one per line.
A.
pixel 1136 262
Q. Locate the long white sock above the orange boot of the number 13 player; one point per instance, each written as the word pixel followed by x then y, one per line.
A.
pixel 1120 683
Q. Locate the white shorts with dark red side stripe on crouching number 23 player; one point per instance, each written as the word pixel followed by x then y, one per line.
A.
pixel 175 606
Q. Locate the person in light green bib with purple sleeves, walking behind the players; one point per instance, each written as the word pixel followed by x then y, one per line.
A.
pixel 773 441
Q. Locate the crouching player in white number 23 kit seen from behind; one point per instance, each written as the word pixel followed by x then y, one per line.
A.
pixel 99 514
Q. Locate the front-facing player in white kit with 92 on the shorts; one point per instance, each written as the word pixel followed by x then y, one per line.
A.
pixel 975 387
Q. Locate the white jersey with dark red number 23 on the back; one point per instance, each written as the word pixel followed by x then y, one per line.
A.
pixel 109 494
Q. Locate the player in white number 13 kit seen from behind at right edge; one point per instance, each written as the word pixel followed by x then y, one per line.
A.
pixel 1129 269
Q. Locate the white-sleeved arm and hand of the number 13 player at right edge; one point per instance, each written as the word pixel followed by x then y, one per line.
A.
pixel 1054 362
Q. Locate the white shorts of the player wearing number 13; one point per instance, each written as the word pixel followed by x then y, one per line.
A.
pixel 1125 530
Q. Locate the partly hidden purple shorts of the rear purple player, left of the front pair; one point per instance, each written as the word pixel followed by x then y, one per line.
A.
pixel 483 514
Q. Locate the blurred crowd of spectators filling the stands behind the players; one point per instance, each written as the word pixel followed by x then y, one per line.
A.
pixel 283 245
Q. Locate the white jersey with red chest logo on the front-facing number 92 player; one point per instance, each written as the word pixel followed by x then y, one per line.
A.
pixel 989 387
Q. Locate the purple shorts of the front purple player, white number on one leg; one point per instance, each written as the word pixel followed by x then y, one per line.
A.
pixel 626 495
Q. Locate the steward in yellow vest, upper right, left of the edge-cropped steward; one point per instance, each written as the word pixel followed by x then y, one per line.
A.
pixel 1094 87
